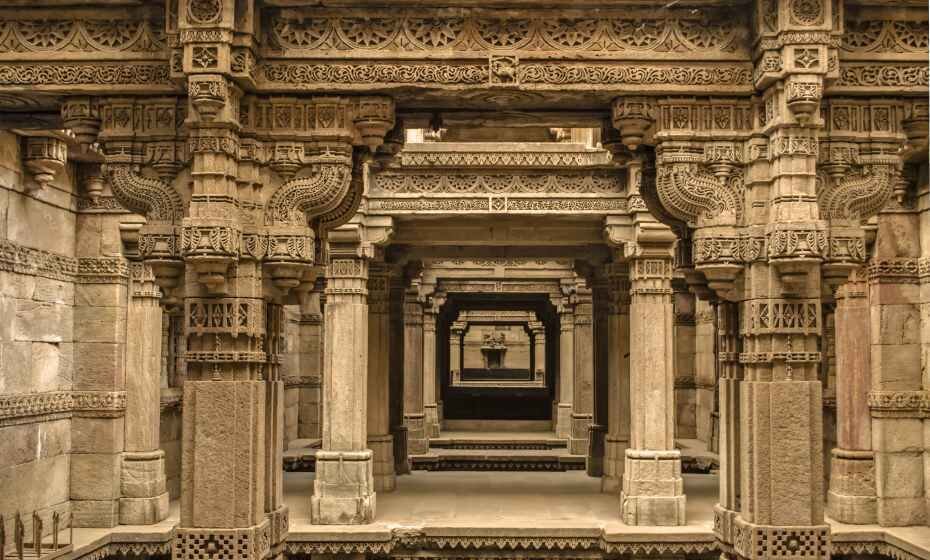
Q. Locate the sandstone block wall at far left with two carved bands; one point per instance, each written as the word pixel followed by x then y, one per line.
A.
pixel 37 295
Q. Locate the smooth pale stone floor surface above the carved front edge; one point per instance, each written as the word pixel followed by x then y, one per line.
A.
pixel 510 503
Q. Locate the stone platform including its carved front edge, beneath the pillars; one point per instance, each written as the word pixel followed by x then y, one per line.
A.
pixel 541 514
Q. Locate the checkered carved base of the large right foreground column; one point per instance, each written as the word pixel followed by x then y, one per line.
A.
pixel 810 542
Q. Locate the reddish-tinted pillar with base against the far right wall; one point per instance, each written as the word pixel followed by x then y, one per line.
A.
pixel 851 498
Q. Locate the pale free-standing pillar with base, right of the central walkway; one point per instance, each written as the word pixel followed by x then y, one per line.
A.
pixel 653 490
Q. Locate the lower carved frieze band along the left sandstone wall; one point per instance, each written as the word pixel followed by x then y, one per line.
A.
pixel 37 407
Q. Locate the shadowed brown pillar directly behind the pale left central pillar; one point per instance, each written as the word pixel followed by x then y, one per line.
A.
pixel 380 440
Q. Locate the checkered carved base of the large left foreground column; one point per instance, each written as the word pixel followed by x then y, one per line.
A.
pixel 247 543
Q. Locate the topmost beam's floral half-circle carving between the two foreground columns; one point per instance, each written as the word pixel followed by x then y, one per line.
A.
pixel 418 32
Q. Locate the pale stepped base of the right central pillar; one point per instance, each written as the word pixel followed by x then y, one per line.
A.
pixel 653 490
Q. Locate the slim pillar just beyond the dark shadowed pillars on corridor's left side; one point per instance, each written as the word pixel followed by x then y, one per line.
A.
pixel 414 417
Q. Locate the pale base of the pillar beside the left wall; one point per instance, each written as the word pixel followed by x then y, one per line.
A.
pixel 143 489
